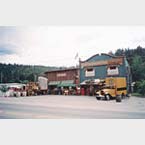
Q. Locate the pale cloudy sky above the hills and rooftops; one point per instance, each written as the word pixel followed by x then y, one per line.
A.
pixel 59 45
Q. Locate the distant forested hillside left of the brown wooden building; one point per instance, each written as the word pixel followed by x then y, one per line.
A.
pixel 21 73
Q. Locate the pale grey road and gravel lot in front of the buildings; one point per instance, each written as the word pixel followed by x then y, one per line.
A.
pixel 64 107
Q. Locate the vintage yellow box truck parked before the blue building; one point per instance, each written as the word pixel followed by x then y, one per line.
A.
pixel 114 87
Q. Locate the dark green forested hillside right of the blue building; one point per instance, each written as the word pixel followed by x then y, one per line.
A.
pixel 136 59
